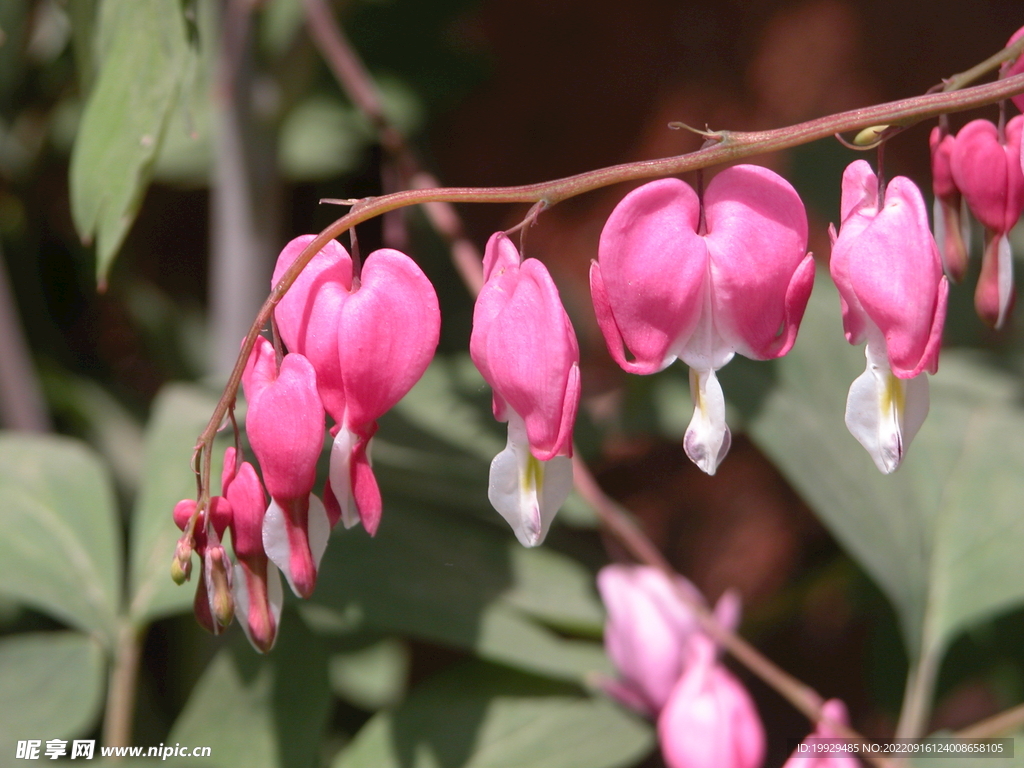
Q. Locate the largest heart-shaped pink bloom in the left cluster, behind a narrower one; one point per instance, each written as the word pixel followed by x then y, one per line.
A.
pixel 370 337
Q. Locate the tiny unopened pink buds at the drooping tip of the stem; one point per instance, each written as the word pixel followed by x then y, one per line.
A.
pixel 214 605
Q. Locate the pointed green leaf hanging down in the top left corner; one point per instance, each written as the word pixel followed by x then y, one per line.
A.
pixel 145 51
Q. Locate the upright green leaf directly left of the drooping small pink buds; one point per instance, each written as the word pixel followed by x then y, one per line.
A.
pixel 180 414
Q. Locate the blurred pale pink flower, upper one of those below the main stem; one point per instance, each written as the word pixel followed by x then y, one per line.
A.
pixel 650 632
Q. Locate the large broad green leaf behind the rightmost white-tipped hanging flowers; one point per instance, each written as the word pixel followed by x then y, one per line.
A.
pixel 944 535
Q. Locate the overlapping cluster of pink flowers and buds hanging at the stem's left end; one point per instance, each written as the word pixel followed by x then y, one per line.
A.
pixel 358 343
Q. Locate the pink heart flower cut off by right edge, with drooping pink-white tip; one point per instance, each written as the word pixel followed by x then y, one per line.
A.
pixel 987 167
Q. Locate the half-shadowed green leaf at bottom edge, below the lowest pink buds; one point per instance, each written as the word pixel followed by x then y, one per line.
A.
pixel 261 712
